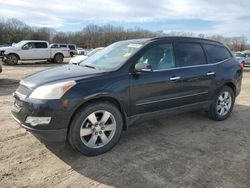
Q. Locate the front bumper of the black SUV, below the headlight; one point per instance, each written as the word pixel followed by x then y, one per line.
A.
pixel 55 131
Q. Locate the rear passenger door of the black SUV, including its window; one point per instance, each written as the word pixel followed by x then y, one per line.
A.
pixel 197 75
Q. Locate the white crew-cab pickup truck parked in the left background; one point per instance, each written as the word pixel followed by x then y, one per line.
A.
pixel 27 50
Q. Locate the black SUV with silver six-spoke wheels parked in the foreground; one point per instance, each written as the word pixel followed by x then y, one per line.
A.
pixel 91 103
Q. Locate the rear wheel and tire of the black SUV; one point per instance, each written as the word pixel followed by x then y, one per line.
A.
pixel 222 105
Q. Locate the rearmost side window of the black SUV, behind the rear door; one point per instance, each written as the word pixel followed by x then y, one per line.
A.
pixel 216 53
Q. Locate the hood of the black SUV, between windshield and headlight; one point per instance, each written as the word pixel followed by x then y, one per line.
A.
pixel 66 72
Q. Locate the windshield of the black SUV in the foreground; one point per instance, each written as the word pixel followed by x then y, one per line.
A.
pixel 113 56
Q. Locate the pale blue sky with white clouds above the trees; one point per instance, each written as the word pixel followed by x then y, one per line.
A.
pixel 227 17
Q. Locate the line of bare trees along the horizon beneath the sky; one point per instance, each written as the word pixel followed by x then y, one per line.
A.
pixel 91 36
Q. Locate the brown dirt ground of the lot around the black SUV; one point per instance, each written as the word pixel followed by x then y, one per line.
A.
pixel 187 150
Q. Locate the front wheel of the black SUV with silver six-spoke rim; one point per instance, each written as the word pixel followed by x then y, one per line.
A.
pixel 97 136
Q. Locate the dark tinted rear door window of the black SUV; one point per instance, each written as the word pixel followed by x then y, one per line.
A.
pixel 190 54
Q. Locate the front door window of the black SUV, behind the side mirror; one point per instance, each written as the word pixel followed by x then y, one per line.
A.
pixel 159 57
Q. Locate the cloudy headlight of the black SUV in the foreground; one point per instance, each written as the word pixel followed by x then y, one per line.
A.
pixel 52 91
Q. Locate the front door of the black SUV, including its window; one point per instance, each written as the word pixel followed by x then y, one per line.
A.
pixel 160 88
